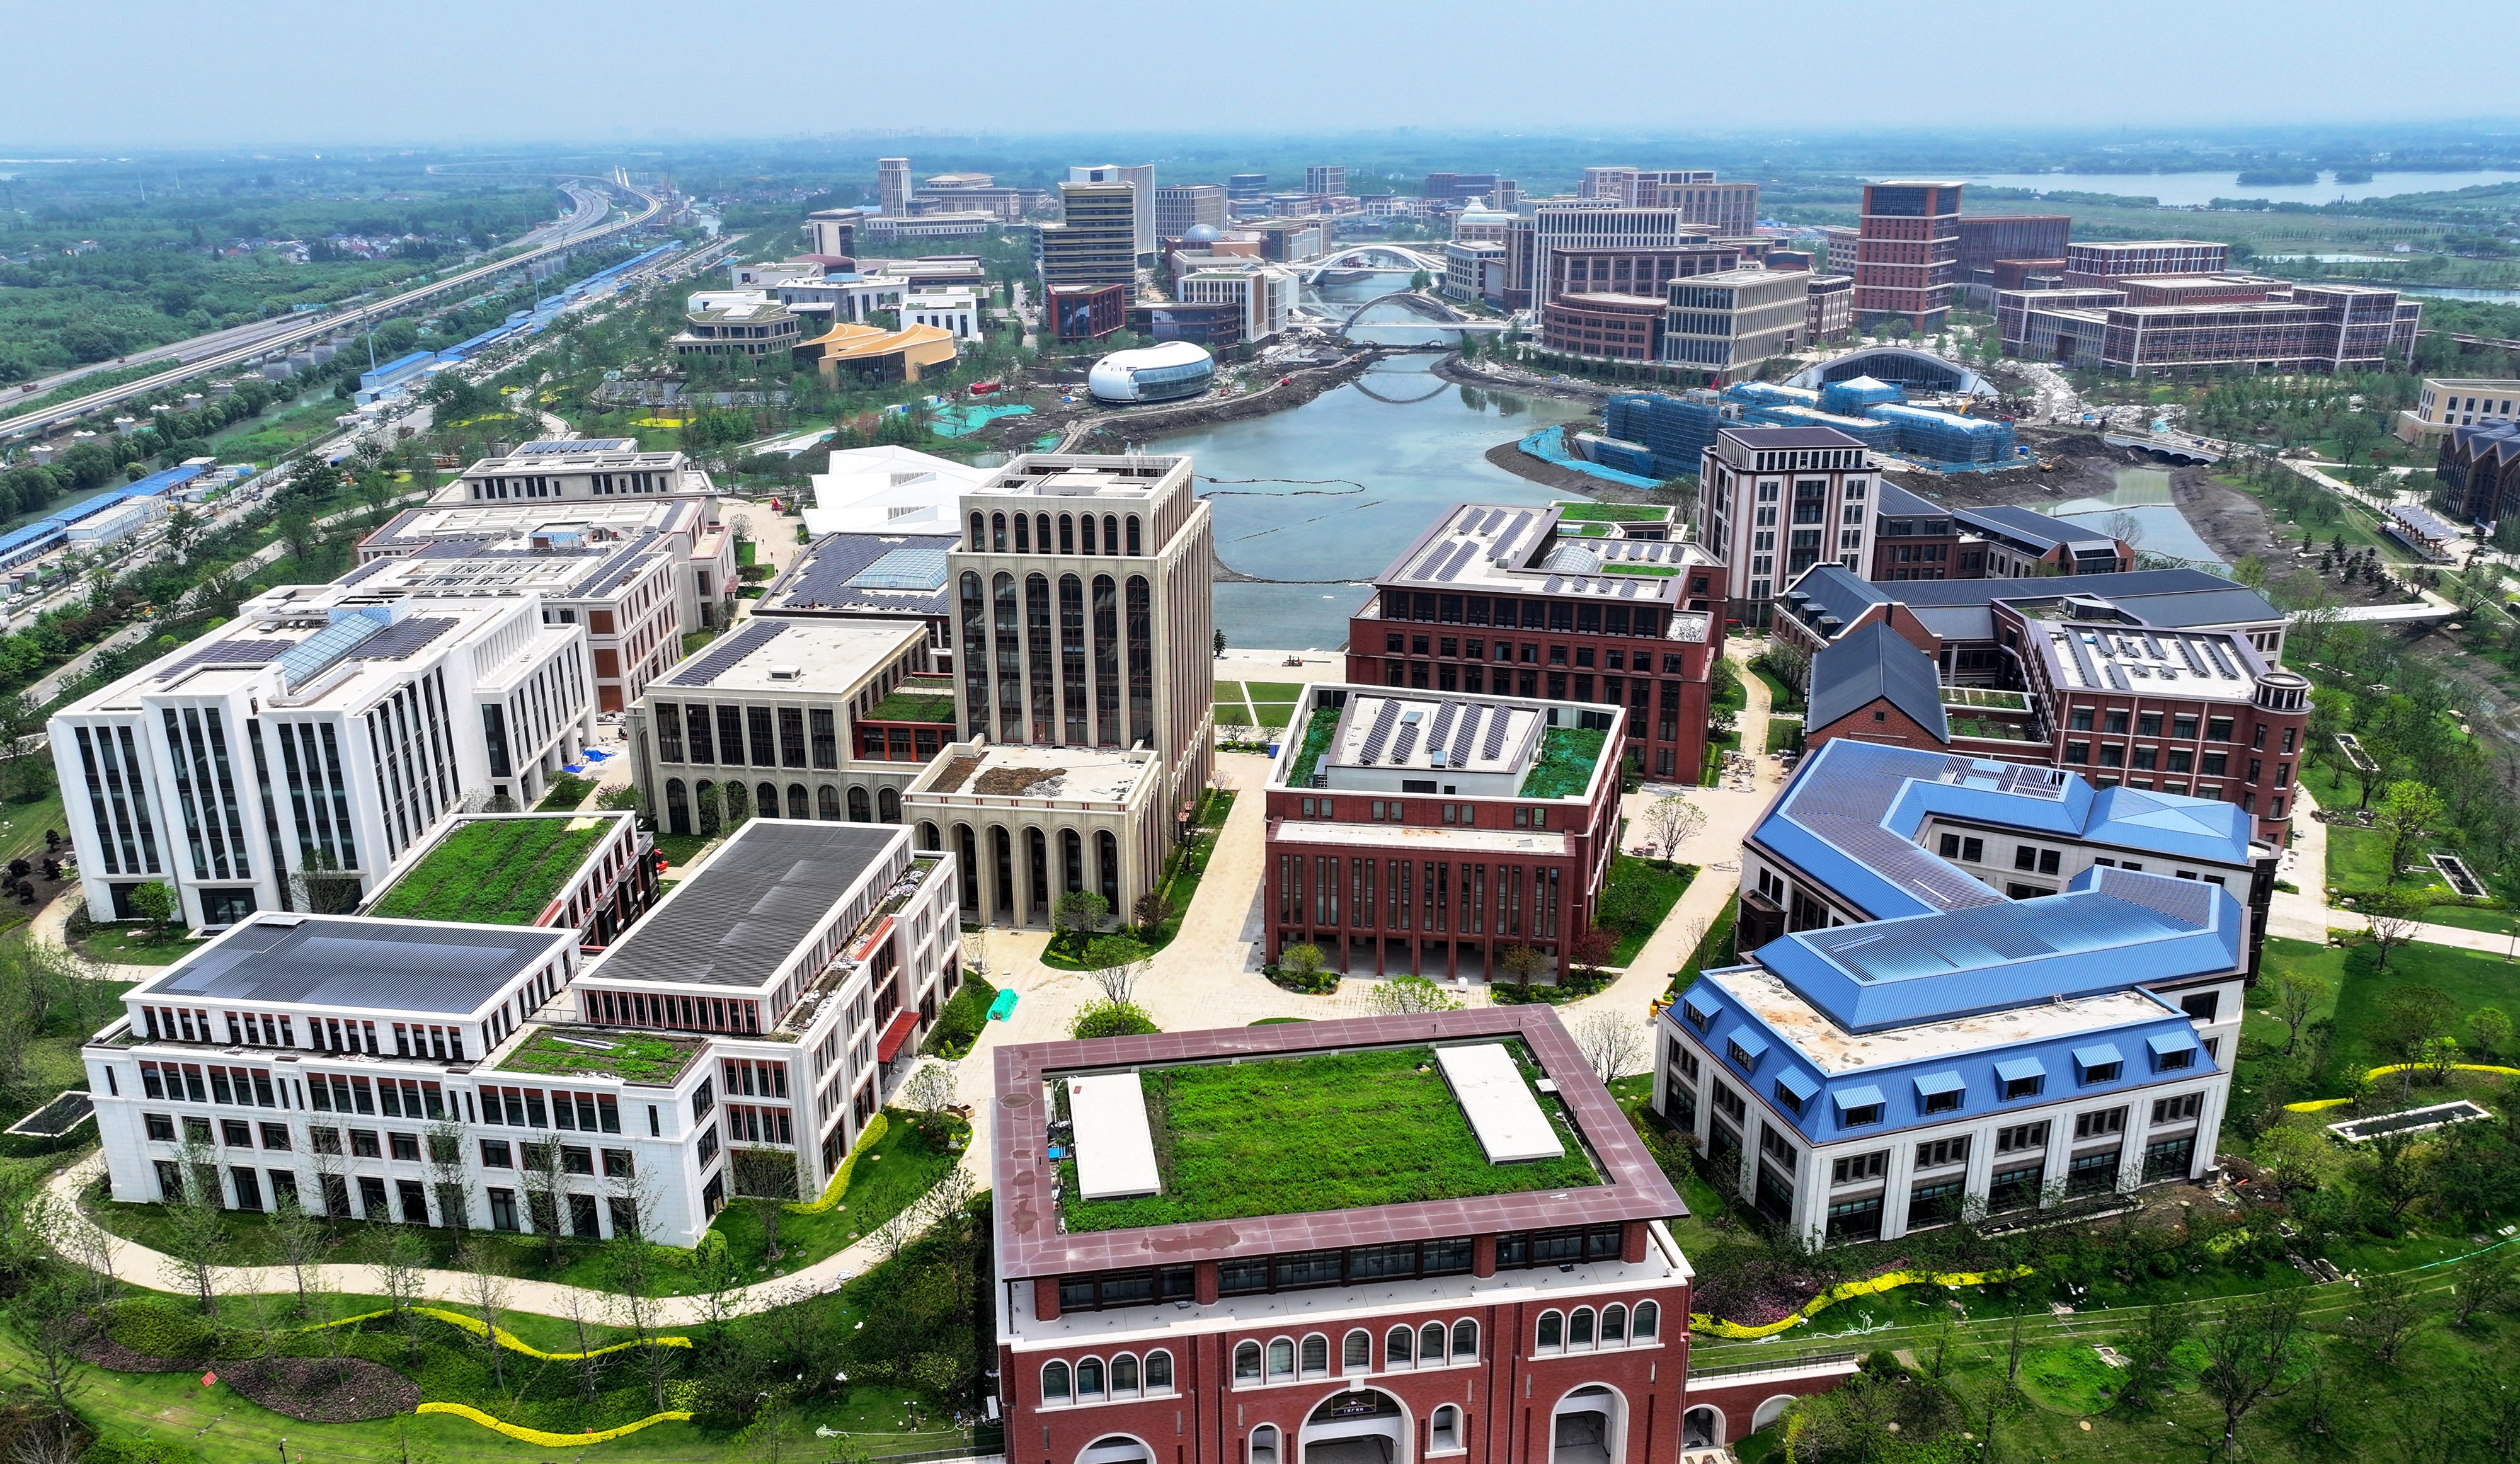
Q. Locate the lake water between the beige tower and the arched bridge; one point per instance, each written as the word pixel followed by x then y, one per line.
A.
pixel 1337 488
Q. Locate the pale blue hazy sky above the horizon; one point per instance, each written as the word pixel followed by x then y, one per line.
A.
pixel 183 74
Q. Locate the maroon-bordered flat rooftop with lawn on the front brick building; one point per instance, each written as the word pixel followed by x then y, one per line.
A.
pixel 1312 1135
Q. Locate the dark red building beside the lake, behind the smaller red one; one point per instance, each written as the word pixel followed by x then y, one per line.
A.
pixel 1561 603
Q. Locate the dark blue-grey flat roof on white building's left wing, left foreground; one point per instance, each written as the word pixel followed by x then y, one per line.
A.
pixel 359 964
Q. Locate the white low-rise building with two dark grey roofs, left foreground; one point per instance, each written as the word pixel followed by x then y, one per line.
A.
pixel 490 1075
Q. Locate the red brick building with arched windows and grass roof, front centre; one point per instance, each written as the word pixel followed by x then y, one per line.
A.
pixel 1493 1324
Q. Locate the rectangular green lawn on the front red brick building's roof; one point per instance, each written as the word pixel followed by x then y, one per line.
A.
pixel 1317 1133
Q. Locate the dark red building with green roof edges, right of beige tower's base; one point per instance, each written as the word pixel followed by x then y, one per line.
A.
pixel 1428 833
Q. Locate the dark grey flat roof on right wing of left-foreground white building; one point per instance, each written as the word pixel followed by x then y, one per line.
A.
pixel 750 906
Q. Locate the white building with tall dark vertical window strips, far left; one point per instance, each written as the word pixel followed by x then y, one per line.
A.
pixel 321 729
